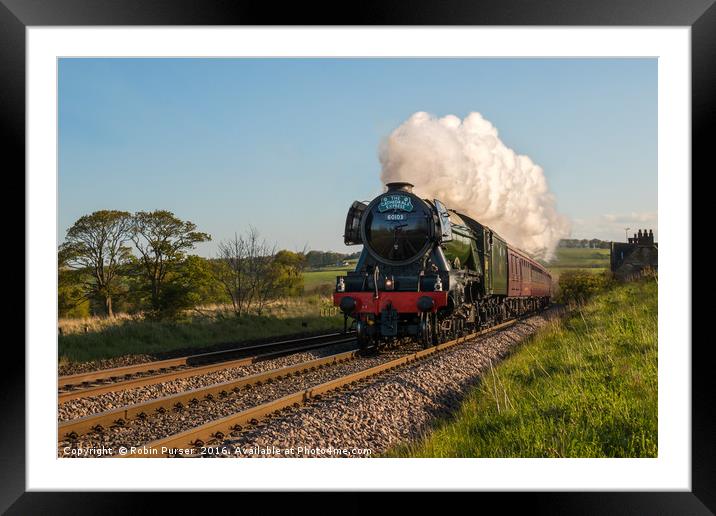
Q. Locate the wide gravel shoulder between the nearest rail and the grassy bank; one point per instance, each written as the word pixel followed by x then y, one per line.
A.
pixel 385 411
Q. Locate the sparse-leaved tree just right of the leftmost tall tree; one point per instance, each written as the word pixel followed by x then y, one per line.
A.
pixel 161 239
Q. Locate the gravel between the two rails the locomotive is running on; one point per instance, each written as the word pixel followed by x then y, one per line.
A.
pixel 139 432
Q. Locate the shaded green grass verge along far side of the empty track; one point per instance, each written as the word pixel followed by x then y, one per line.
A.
pixel 150 337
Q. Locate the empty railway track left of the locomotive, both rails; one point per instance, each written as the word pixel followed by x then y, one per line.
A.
pixel 104 381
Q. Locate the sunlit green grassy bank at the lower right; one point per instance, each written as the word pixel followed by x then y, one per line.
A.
pixel 584 386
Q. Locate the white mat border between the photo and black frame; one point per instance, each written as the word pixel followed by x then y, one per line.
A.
pixel 671 470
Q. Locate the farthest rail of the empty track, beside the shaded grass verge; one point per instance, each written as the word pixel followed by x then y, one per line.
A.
pixel 212 356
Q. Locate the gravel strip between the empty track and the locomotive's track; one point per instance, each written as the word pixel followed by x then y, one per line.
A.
pixel 81 407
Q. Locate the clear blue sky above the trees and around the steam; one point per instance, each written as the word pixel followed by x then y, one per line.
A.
pixel 286 145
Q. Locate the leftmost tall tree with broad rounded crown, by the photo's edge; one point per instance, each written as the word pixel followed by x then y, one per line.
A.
pixel 95 245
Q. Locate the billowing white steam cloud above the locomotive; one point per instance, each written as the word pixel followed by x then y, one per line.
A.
pixel 465 164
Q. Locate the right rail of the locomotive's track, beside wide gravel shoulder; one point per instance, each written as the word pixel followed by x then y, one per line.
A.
pixel 181 443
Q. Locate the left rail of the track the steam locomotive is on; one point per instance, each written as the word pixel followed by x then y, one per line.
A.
pixel 120 416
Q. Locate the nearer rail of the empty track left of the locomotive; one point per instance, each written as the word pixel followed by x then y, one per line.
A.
pixel 185 373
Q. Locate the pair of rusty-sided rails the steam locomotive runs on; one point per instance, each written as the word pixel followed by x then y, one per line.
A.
pixel 218 429
